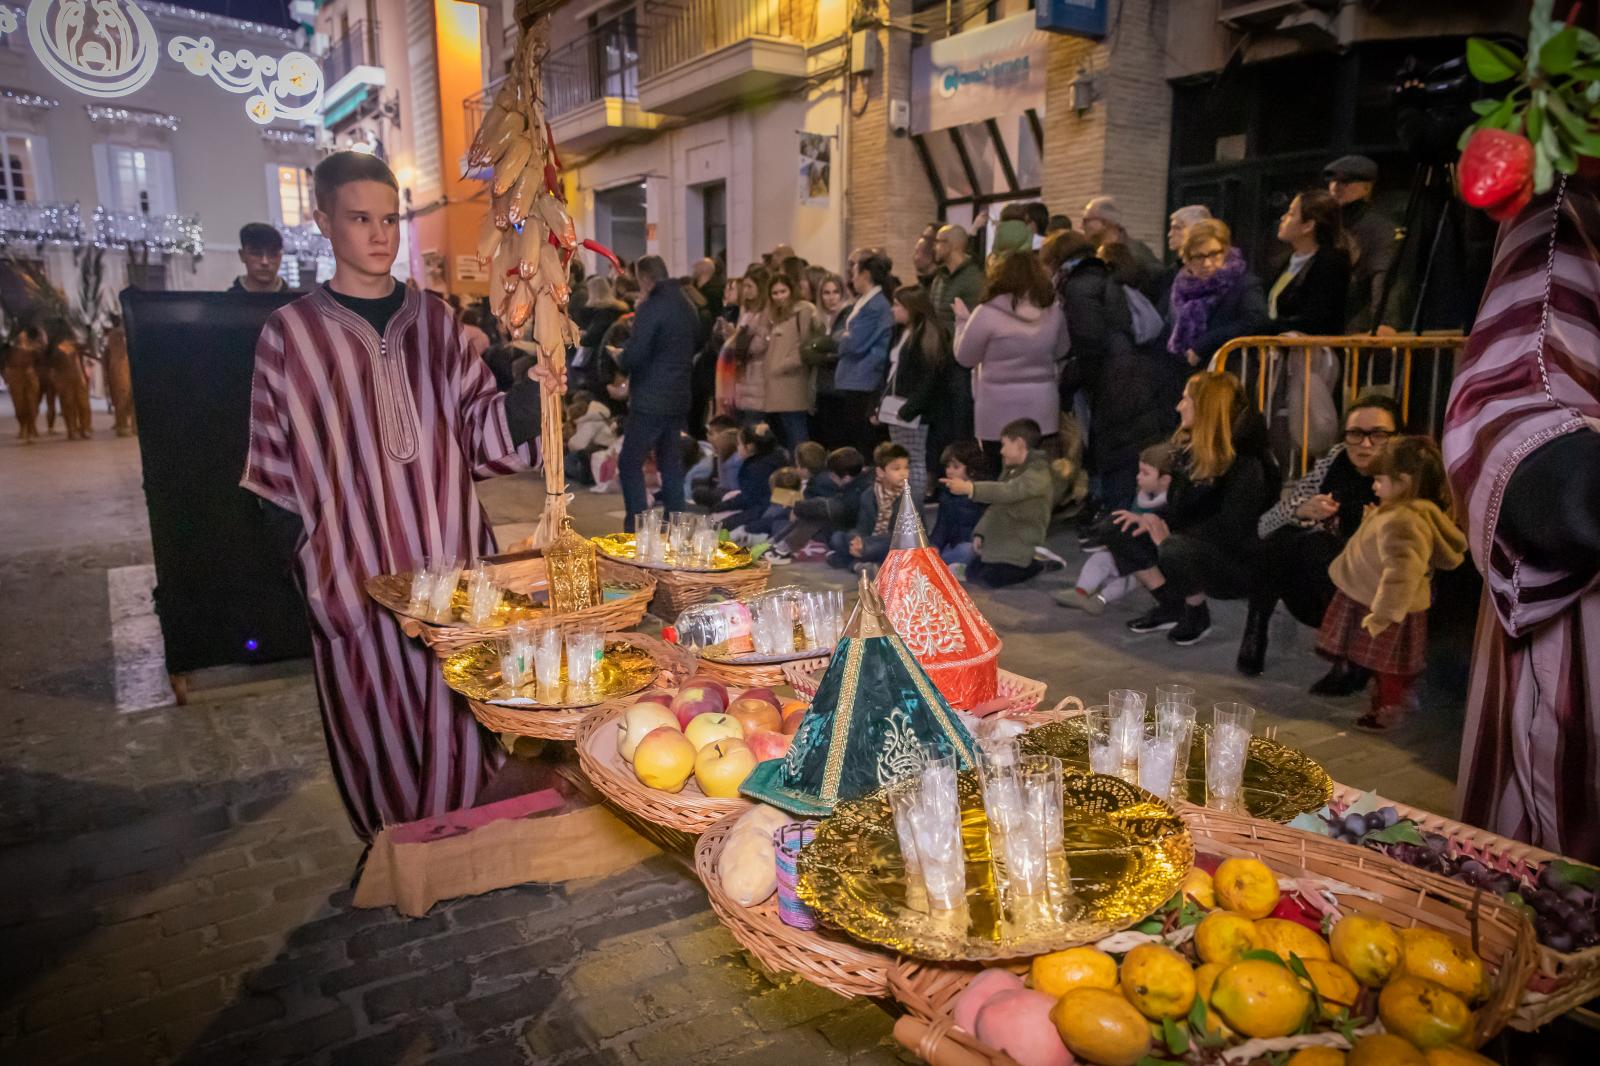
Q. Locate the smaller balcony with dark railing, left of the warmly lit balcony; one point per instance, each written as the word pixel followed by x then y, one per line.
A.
pixel 591 89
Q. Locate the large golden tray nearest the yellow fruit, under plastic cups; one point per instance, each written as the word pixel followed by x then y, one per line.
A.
pixel 1127 854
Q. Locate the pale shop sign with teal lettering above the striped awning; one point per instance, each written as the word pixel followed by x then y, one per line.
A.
pixel 990 73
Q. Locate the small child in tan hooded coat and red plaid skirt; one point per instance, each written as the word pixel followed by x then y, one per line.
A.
pixel 1378 617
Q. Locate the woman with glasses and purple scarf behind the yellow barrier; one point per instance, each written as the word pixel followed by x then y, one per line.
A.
pixel 1215 297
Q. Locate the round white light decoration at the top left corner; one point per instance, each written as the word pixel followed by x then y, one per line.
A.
pixel 106 49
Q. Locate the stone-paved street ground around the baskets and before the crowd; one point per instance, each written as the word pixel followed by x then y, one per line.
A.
pixel 177 881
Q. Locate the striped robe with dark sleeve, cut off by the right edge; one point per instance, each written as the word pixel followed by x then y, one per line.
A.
pixel 1530 375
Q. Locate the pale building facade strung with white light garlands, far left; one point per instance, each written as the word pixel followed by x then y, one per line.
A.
pixel 162 178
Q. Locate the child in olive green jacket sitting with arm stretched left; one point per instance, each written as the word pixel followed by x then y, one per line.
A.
pixel 1018 513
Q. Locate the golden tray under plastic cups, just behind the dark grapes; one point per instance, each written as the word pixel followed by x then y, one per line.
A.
pixel 1279 782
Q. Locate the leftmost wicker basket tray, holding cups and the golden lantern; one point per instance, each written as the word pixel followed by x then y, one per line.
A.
pixel 526 577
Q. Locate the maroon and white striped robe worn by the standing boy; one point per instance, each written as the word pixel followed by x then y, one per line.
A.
pixel 375 444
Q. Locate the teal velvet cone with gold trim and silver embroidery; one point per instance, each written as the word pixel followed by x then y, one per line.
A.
pixel 874 716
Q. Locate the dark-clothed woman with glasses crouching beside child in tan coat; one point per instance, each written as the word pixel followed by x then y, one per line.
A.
pixel 1308 531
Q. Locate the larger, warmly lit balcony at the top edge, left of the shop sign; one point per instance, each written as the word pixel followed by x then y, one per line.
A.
pixel 705 54
